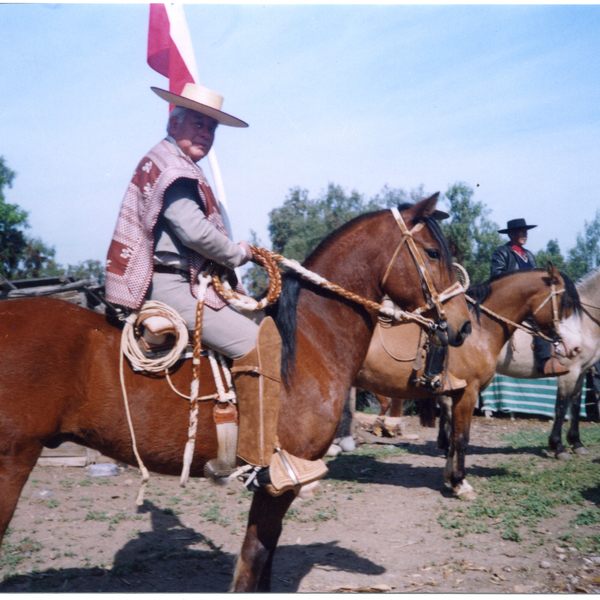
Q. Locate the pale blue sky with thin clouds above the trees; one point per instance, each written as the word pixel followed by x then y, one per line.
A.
pixel 505 98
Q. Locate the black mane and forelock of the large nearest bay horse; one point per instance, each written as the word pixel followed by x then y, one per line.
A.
pixel 285 310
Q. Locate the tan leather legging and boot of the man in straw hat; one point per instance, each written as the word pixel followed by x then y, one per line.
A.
pixel 257 378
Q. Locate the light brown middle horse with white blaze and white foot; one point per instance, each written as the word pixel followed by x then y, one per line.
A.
pixel 513 296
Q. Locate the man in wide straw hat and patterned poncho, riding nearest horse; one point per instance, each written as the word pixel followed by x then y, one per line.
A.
pixel 169 230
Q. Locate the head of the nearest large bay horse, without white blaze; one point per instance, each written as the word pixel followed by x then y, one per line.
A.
pixel 426 269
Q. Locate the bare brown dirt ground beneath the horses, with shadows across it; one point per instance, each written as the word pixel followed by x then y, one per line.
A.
pixel 377 531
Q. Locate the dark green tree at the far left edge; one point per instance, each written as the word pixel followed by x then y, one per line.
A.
pixel 12 222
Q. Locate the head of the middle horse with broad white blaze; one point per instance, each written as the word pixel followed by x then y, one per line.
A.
pixel 556 311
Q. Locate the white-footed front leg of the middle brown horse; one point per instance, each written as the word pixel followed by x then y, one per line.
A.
pixel 462 413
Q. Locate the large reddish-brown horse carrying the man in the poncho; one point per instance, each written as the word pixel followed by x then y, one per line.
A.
pixel 59 371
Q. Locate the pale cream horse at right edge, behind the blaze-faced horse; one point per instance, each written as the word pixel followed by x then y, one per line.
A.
pixel 579 360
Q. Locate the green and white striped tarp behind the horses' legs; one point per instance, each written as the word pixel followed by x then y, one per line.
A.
pixel 531 396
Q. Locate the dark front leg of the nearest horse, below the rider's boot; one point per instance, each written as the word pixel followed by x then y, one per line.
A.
pixel 253 569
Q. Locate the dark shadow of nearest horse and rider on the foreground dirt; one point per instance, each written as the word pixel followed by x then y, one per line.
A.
pixel 161 561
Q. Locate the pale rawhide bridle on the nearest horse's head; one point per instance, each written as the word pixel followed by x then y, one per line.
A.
pixel 432 298
